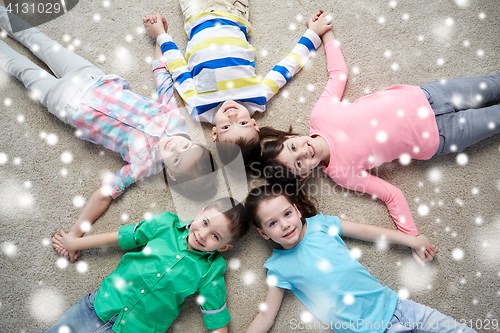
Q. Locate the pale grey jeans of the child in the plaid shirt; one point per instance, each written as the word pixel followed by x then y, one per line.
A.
pixel 61 94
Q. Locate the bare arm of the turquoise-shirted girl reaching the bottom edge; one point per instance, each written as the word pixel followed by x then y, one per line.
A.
pixel 265 319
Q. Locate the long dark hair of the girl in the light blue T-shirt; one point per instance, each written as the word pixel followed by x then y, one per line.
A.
pixel 293 194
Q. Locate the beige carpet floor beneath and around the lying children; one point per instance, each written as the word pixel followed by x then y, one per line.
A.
pixel 384 43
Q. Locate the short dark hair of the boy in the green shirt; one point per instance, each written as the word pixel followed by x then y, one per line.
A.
pixel 235 213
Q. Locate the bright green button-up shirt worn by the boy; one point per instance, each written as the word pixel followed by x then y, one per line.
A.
pixel 148 288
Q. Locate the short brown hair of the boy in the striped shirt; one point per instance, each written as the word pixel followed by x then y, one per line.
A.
pixel 250 150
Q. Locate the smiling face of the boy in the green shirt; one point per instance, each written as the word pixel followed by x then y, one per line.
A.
pixel 209 232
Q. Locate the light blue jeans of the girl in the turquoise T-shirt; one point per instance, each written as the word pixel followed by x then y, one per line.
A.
pixel 417 318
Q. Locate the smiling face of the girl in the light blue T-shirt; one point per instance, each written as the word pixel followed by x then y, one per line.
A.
pixel 280 221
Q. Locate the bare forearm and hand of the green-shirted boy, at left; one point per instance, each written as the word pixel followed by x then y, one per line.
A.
pixel 72 244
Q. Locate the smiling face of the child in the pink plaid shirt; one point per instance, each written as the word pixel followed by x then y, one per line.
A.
pixel 178 154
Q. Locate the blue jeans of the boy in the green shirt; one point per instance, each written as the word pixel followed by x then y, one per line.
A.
pixel 82 318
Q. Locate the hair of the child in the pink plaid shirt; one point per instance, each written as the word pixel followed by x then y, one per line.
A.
pixel 200 181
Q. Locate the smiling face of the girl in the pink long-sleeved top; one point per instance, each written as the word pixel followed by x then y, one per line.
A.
pixel 301 154
